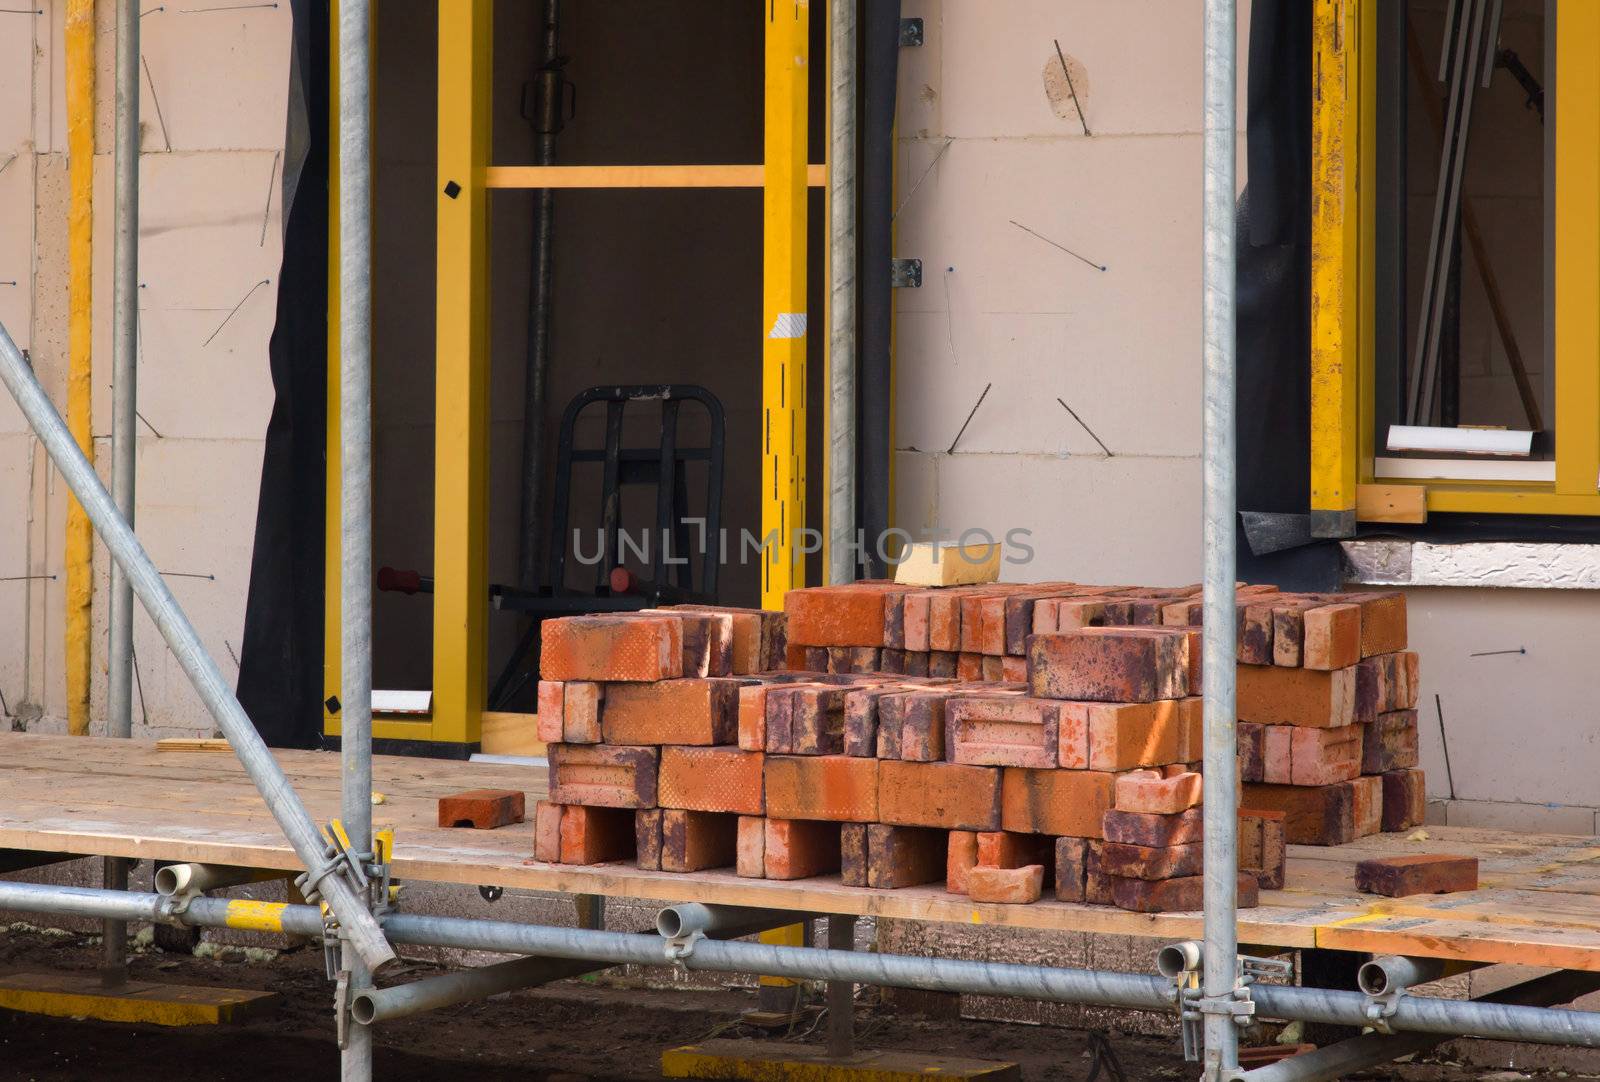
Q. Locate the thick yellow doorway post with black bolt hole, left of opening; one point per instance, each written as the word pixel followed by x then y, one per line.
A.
pixel 462 404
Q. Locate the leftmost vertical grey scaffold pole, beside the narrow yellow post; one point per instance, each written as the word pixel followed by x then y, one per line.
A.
pixel 124 435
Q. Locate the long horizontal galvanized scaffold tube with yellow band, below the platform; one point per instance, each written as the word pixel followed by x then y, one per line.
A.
pixel 1414 1014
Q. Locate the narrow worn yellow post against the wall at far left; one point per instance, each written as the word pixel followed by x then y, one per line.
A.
pixel 81 182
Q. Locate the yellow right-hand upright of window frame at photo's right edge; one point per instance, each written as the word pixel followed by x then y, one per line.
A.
pixel 1577 250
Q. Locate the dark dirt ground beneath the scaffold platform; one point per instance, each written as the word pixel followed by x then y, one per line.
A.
pixel 570 1032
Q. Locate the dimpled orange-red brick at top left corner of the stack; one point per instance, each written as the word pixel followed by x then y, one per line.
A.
pixel 612 649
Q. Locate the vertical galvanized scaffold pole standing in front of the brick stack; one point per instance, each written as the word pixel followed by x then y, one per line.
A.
pixel 1222 763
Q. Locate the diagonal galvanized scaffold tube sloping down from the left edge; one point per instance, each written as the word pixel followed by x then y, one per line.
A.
pixel 191 654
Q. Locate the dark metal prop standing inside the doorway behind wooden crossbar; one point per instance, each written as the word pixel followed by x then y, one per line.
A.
pixel 550 94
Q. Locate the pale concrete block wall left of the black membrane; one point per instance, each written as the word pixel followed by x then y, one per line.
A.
pixel 214 105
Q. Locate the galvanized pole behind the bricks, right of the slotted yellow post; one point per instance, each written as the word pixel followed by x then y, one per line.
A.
pixel 842 558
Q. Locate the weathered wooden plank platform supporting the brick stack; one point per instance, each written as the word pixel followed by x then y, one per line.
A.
pixel 1538 904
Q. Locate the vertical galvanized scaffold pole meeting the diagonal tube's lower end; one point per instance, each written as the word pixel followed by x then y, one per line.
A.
pixel 356 476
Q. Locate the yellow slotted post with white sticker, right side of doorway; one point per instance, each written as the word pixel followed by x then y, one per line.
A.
pixel 785 299
